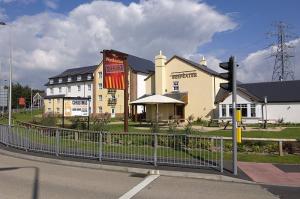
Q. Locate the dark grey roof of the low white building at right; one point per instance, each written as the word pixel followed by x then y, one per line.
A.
pixel 276 92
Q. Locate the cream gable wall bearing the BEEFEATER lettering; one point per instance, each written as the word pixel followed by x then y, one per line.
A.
pixel 201 89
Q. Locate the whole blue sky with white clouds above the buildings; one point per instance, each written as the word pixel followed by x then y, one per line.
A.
pixel 49 36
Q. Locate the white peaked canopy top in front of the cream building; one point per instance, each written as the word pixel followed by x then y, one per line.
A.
pixel 156 99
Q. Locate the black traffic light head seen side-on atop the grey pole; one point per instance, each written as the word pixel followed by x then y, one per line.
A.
pixel 230 67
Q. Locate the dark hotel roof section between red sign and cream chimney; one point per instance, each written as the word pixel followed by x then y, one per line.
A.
pixel 140 65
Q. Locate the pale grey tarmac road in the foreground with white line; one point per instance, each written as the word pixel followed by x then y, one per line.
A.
pixel 20 178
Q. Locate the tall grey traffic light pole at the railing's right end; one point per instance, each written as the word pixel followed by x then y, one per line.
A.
pixel 234 124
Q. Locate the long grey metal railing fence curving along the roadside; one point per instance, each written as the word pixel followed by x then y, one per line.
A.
pixel 156 149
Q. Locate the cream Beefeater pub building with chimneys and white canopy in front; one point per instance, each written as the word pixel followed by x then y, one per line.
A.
pixel 179 88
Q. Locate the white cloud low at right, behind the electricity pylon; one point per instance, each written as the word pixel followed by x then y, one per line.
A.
pixel 258 66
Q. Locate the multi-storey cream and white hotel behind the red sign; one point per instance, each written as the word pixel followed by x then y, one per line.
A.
pixel 77 85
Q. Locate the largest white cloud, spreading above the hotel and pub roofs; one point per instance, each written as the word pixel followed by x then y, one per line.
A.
pixel 47 43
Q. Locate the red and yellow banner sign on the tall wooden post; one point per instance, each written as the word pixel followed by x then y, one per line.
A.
pixel 114 70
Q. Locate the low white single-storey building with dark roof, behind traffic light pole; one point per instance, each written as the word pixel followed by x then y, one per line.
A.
pixel 271 101
